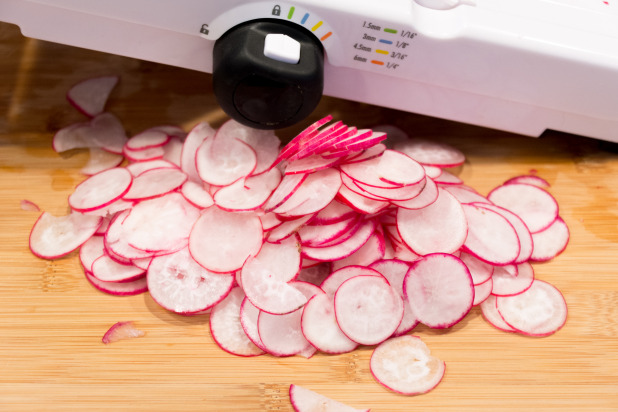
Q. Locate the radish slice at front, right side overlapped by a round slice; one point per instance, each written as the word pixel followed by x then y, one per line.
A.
pixel 320 328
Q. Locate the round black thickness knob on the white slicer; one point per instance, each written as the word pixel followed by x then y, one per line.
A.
pixel 265 92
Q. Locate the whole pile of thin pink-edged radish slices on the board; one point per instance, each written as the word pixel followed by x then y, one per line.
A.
pixel 341 238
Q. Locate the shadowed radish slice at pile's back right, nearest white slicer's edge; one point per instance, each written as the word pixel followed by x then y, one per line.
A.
pixel 431 153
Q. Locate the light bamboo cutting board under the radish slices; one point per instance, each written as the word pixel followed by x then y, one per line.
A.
pixel 52 320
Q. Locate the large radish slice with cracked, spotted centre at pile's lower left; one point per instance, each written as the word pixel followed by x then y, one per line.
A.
pixel 179 284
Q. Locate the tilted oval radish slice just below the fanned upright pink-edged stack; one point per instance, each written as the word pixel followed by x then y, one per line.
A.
pixel 313 195
